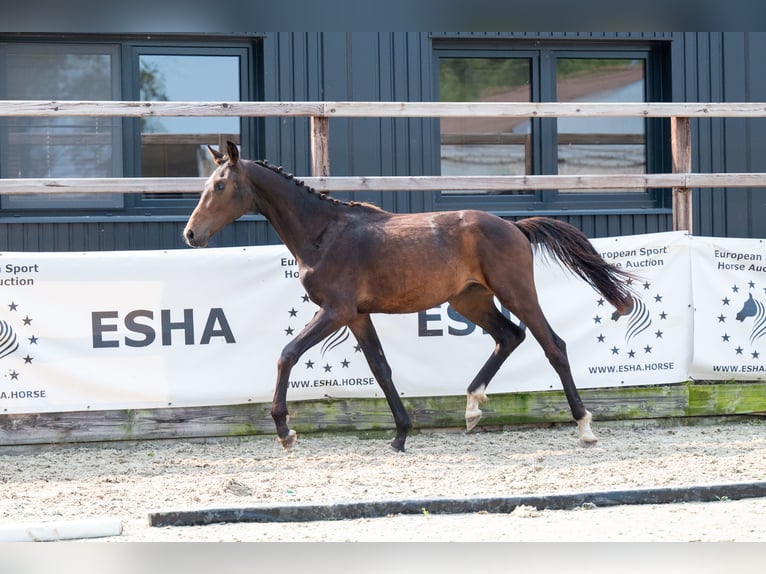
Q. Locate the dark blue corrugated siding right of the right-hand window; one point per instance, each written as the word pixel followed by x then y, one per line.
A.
pixel 724 67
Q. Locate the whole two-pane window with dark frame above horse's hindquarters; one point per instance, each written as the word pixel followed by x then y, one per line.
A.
pixel 517 146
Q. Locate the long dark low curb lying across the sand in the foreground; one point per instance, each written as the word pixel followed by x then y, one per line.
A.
pixel 375 509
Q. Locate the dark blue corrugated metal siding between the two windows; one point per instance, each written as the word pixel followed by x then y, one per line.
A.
pixel 393 66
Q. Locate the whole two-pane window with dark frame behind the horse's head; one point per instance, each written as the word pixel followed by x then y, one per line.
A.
pixel 117 147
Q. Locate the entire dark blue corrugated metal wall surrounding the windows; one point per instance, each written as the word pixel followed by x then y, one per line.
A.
pixel 398 66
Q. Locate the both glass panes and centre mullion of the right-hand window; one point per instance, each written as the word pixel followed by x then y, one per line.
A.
pixel 567 146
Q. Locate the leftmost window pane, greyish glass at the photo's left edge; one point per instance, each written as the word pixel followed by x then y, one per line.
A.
pixel 60 146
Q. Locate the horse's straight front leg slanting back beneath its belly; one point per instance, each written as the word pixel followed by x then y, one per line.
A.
pixel 365 334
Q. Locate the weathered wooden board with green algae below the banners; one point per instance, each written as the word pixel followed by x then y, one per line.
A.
pixel 351 415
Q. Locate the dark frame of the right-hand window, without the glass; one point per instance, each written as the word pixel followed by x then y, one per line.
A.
pixel 544 130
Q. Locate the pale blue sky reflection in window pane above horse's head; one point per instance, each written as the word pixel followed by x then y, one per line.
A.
pixel 197 79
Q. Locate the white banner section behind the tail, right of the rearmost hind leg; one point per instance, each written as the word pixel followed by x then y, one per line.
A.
pixel 653 343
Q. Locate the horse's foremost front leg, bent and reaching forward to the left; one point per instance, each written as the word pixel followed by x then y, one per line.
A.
pixel 321 326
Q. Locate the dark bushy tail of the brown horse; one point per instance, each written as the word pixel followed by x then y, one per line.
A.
pixel 570 247
